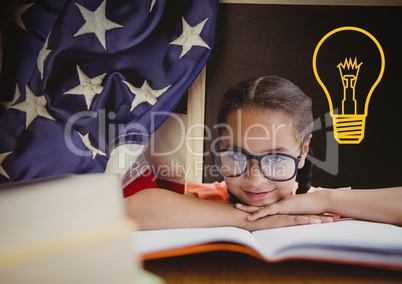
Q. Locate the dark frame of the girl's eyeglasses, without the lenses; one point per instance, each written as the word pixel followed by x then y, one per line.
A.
pixel 249 157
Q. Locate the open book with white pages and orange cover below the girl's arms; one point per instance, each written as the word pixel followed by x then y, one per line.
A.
pixel 345 241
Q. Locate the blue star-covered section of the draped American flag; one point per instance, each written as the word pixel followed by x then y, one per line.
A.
pixel 79 78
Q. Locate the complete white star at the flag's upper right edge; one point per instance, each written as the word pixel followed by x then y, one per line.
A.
pixel 190 37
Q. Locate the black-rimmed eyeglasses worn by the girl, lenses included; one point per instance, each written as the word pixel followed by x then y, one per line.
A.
pixel 274 166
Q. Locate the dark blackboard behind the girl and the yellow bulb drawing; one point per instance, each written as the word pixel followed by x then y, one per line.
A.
pixel 255 40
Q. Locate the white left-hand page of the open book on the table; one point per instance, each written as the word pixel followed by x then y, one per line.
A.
pixel 160 240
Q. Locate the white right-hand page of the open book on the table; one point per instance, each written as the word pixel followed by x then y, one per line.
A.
pixel 343 240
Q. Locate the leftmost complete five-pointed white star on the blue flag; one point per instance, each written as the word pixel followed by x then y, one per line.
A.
pixel 33 106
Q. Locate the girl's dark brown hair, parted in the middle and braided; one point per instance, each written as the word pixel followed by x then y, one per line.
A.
pixel 275 93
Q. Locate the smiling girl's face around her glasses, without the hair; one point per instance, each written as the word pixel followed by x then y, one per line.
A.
pixel 257 132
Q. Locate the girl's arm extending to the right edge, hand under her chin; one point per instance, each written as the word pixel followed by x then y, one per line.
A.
pixel 379 205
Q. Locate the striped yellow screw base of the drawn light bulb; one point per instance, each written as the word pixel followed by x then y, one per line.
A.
pixel 349 128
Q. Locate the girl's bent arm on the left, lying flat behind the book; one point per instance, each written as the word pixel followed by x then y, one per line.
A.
pixel 163 209
